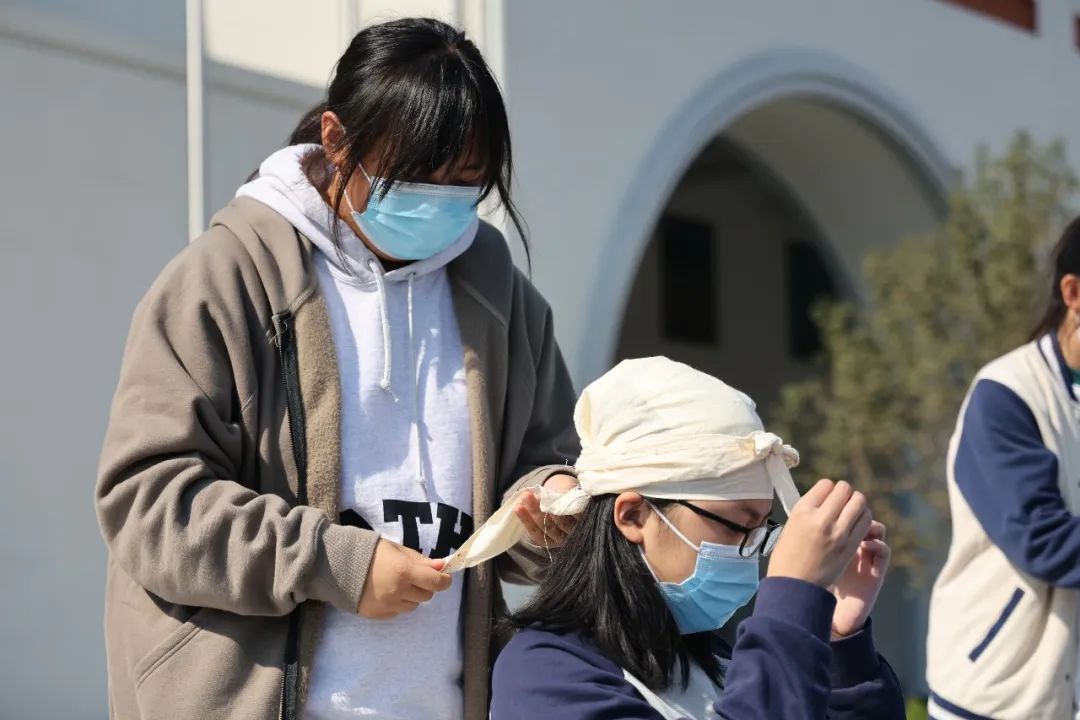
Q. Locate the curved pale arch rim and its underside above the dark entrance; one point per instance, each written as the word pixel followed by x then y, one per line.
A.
pixel 852 158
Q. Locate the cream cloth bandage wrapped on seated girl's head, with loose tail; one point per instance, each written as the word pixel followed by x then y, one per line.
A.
pixel 665 430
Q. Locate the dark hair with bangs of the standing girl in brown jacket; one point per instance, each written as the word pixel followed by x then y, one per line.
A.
pixel 420 91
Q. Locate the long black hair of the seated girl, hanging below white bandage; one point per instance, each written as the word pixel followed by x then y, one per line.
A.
pixel 599 586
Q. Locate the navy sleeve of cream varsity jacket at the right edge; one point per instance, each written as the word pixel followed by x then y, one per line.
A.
pixel 1009 479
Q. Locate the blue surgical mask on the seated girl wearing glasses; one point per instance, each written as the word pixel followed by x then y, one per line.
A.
pixel 723 581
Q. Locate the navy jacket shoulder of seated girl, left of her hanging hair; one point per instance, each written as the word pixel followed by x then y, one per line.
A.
pixel 541 676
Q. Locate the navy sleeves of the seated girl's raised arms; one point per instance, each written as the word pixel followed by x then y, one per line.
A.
pixel 782 665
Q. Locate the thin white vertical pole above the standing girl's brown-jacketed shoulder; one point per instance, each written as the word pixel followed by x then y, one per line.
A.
pixel 197 215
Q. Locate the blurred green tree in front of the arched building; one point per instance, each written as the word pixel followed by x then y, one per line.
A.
pixel 936 308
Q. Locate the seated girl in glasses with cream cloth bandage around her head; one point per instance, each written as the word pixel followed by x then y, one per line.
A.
pixel 677 484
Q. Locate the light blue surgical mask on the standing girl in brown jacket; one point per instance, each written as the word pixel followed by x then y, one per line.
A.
pixel 415 221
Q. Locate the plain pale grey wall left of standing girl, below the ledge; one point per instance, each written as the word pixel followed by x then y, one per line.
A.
pixel 93 201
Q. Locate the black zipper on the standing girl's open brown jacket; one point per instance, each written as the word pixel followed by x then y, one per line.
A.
pixel 299 439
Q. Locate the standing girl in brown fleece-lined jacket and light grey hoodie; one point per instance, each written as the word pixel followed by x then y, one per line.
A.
pixel 328 389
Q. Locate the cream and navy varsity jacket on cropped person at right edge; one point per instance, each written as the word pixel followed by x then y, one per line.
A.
pixel 1003 641
